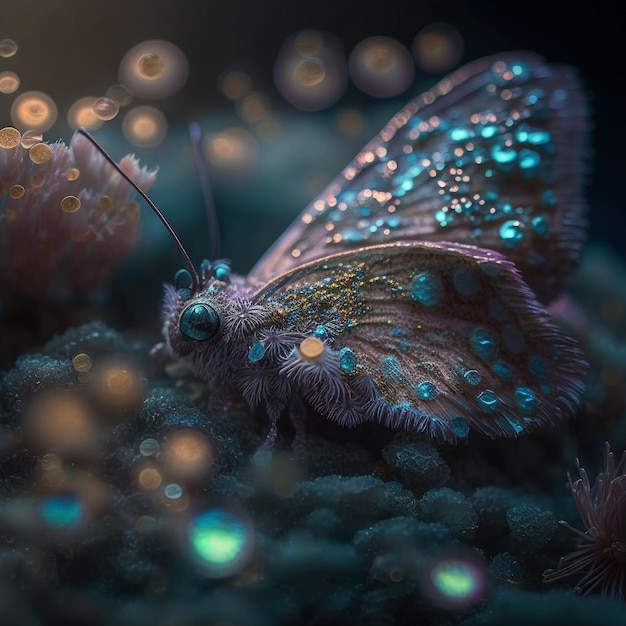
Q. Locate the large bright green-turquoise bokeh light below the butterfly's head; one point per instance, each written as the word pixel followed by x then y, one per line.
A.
pixel 220 541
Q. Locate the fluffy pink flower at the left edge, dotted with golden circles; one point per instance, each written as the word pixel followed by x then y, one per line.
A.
pixel 66 216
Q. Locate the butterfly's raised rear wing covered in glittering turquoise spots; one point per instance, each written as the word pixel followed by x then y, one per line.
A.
pixel 491 156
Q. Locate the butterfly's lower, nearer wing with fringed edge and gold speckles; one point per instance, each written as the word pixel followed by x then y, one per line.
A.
pixel 433 337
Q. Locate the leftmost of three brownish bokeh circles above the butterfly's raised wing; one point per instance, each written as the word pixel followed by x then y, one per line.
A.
pixel 310 70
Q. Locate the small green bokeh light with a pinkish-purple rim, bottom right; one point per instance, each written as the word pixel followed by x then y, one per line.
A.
pixel 456 582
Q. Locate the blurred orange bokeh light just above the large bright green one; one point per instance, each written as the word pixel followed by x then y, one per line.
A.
pixel 188 455
